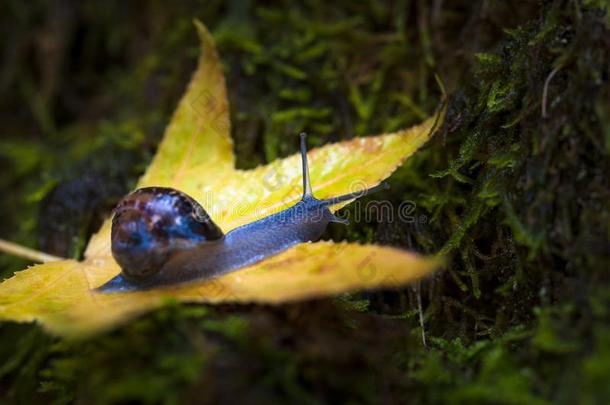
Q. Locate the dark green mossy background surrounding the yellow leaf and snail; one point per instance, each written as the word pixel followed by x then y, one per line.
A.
pixel 514 188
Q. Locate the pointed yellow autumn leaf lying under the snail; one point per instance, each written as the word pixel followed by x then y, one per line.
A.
pixel 196 156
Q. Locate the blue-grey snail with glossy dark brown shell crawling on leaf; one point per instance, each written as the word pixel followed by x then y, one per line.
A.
pixel 161 237
